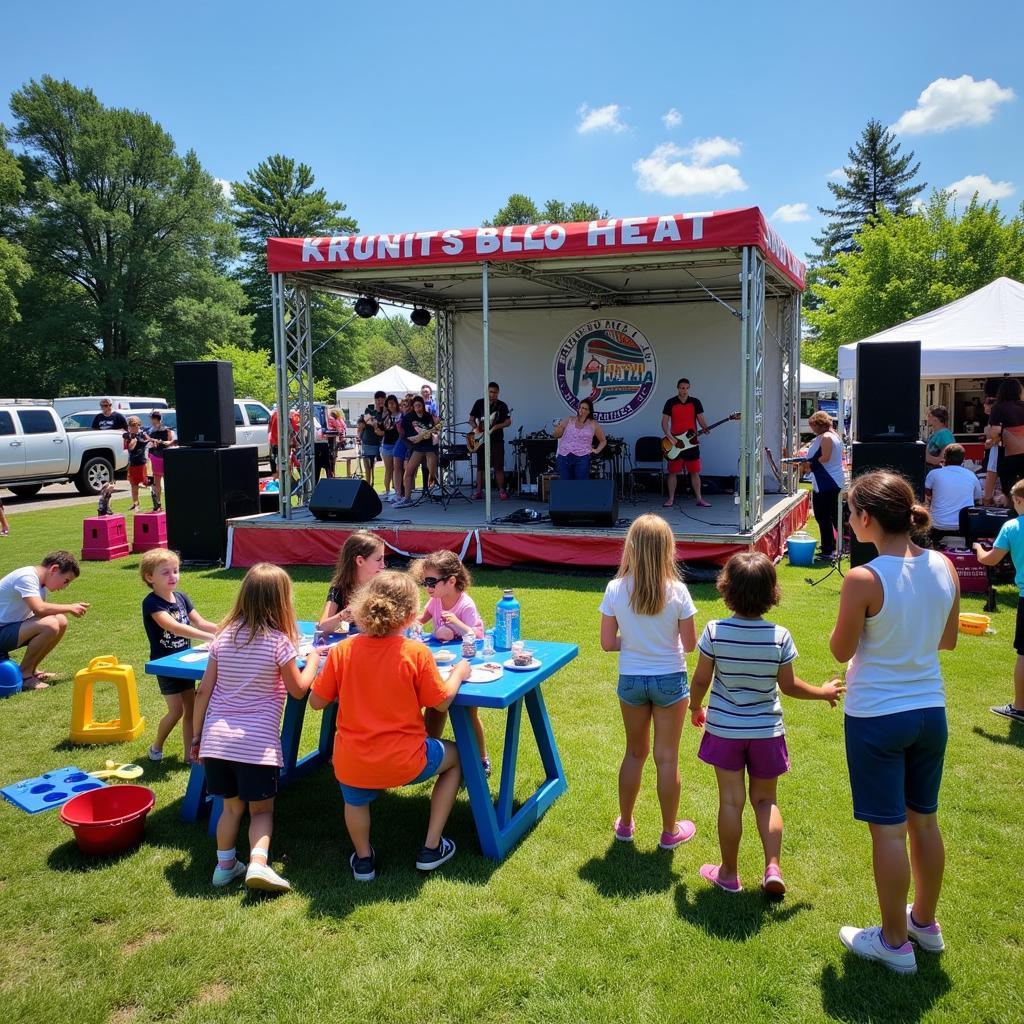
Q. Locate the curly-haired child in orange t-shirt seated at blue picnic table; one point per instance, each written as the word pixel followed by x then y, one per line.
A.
pixel 381 682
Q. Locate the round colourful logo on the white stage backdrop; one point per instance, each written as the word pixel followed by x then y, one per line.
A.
pixel 611 363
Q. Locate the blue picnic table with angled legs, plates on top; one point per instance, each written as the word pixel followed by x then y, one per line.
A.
pixel 499 825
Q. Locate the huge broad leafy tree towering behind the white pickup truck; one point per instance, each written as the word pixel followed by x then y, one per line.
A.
pixel 130 245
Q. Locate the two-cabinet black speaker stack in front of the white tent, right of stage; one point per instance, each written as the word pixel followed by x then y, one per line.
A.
pixel 888 420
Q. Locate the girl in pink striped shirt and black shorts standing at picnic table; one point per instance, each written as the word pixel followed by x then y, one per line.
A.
pixel 253 667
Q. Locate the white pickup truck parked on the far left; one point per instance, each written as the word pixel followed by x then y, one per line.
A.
pixel 35 449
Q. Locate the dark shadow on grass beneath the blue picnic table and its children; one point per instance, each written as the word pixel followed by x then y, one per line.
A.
pixel 311 848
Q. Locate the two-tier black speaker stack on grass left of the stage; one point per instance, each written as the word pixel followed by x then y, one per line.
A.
pixel 206 481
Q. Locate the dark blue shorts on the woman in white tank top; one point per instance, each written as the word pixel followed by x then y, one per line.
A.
pixel 895 763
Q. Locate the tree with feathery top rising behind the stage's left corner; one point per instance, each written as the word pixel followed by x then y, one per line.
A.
pixel 279 199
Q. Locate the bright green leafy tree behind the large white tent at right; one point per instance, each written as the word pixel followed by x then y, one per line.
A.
pixel 905 267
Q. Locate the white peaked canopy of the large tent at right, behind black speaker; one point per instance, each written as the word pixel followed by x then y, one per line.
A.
pixel 982 335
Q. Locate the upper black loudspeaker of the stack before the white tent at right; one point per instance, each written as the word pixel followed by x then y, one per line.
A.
pixel 888 392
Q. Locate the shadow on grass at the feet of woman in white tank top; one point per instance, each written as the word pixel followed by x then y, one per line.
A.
pixel 869 993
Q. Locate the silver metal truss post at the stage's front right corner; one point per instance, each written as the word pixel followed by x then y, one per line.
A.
pixel 752 366
